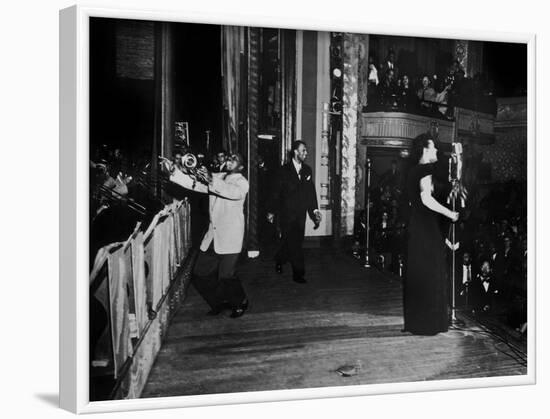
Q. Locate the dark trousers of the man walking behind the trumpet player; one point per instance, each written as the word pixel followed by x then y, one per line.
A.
pixel 290 250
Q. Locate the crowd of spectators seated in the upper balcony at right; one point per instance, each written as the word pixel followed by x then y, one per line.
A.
pixel 433 95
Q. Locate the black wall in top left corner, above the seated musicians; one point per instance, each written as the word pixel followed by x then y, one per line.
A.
pixel 121 104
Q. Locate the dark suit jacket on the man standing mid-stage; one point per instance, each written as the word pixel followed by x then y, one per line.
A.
pixel 293 196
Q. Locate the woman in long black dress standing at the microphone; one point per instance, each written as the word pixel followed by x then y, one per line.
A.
pixel 425 285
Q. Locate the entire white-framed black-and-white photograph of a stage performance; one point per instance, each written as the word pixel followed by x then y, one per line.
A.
pixel 255 210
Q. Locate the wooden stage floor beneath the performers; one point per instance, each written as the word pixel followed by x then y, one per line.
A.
pixel 297 335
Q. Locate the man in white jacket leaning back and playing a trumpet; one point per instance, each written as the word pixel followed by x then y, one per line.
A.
pixel 214 272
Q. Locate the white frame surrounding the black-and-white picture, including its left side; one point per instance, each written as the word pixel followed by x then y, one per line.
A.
pixel 74 195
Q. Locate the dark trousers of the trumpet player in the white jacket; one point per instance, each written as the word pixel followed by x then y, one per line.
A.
pixel 215 280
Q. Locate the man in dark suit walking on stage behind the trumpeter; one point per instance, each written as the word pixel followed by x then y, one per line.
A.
pixel 293 196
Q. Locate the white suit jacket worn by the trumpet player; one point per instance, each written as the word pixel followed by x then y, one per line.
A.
pixel 226 209
